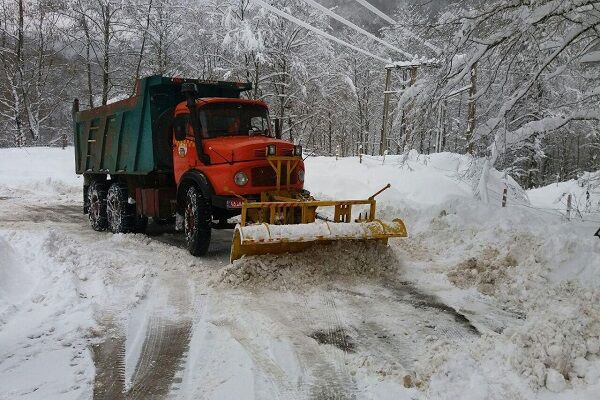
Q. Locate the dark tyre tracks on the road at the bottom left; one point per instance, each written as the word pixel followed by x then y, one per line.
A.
pixel 163 351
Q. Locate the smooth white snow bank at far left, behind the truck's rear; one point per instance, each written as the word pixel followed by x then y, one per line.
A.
pixel 38 169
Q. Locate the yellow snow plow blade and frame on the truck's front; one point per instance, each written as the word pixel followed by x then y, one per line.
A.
pixel 290 224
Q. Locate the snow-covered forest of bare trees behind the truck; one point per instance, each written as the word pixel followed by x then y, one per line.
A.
pixel 515 83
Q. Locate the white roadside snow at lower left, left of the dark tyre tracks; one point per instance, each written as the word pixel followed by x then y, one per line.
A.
pixel 45 337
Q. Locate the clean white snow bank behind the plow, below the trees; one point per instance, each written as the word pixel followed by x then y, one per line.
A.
pixel 418 181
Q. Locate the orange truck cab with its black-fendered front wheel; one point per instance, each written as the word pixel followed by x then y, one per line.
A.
pixel 221 148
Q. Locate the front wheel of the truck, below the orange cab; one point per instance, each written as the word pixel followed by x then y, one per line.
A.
pixel 197 221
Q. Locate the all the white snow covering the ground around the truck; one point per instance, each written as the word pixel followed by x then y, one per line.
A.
pixel 523 275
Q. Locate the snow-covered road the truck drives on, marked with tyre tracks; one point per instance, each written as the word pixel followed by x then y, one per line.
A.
pixel 160 328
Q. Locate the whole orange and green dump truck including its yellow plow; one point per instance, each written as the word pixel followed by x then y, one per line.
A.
pixel 196 151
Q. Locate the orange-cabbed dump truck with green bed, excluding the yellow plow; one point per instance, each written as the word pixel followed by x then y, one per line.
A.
pixel 180 147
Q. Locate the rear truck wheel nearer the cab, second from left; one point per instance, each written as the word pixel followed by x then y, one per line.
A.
pixel 119 213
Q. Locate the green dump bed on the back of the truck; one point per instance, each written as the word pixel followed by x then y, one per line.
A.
pixel 133 136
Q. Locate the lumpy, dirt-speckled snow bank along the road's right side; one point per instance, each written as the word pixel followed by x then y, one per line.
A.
pixel 536 266
